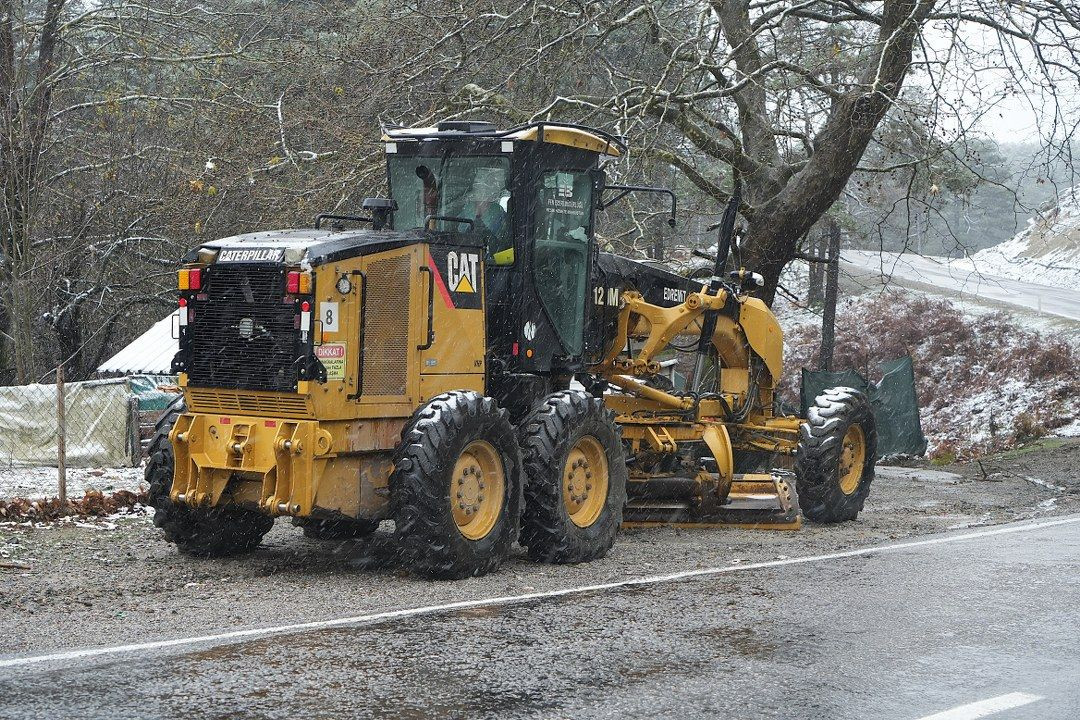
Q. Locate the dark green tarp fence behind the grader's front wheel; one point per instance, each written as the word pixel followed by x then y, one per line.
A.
pixel 896 405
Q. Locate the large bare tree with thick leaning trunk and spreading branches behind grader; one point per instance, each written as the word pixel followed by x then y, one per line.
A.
pixel 780 98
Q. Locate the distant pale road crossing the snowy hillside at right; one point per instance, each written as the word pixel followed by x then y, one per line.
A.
pixel 911 269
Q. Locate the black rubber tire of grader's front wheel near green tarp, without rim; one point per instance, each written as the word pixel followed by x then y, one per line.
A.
pixel 818 456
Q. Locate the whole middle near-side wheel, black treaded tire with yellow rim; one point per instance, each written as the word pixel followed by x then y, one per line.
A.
pixel 575 479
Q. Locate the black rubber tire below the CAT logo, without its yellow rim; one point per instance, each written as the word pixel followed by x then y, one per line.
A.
pixel 421 500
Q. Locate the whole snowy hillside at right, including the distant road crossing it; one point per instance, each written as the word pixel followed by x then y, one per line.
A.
pixel 995 337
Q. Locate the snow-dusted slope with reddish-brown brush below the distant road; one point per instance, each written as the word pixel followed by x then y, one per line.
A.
pixel 985 379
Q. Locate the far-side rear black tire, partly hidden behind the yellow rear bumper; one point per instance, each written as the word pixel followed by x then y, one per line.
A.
pixel 204 533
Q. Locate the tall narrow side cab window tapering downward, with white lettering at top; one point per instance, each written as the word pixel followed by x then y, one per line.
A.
pixel 561 252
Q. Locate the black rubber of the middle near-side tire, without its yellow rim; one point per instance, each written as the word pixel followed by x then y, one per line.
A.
pixel 547 437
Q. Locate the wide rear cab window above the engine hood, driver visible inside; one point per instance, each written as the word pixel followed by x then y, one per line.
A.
pixel 469 187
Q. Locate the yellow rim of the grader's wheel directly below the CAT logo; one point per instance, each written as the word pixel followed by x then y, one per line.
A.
pixel 478 487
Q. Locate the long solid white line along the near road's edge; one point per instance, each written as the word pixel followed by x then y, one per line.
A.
pixel 517 600
